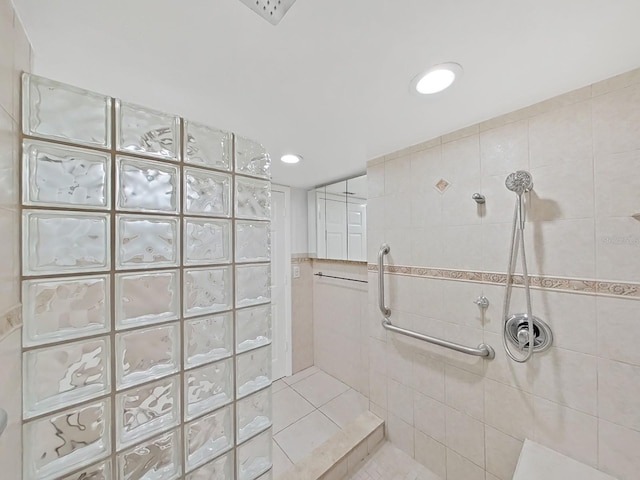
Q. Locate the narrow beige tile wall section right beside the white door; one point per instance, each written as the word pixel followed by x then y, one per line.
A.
pixel 302 315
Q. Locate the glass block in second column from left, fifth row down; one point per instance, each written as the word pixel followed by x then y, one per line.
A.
pixel 143 355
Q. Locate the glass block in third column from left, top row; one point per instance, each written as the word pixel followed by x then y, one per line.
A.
pixel 207 146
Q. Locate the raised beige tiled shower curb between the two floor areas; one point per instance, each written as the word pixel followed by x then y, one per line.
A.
pixel 339 455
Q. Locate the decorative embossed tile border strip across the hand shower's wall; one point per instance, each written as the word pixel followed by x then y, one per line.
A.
pixel 573 285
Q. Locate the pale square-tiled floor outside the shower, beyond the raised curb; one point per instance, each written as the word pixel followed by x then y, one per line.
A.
pixel 308 409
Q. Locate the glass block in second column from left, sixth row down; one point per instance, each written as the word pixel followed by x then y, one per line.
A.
pixel 147 410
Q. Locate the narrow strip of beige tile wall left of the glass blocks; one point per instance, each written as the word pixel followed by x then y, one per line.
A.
pixel 15 57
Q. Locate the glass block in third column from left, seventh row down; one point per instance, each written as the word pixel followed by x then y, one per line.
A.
pixel 208 437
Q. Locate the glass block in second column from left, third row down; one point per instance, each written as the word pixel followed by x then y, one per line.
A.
pixel 147 242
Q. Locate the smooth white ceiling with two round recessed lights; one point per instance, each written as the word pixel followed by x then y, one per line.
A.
pixel 330 82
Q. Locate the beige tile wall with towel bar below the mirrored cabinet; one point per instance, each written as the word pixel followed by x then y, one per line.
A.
pixel 339 323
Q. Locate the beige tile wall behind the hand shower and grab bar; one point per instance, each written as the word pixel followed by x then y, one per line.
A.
pixel 466 418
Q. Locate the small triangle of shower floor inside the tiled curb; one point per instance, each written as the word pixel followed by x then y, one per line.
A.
pixel 390 463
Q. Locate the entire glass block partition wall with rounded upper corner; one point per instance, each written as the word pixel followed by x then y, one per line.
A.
pixel 146 290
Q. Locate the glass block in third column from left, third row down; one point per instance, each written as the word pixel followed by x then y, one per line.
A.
pixel 206 241
